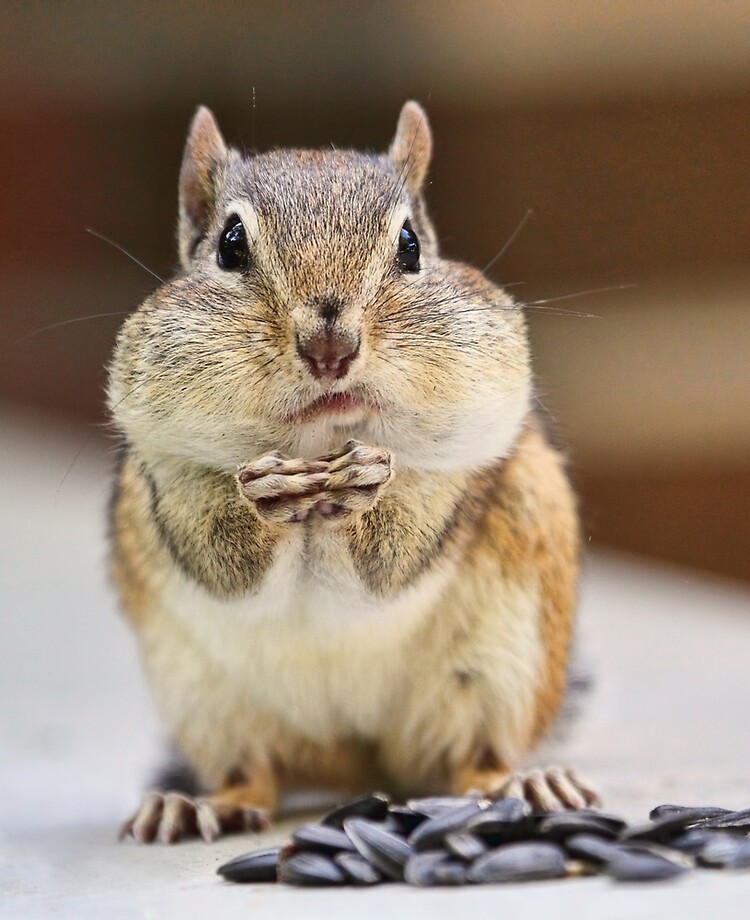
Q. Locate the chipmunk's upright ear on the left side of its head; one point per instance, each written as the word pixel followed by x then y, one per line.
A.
pixel 205 153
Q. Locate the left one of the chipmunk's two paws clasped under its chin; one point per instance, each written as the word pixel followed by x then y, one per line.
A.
pixel 283 491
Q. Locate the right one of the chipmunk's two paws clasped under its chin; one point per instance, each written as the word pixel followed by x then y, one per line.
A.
pixel 356 476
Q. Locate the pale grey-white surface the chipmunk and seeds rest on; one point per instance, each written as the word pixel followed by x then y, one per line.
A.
pixel 666 722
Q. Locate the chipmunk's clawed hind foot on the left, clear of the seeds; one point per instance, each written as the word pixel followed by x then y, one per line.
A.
pixel 171 816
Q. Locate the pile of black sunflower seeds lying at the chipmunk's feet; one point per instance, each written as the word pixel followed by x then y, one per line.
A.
pixel 456 840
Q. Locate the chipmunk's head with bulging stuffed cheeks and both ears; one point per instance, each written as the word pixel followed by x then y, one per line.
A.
pixel 313 307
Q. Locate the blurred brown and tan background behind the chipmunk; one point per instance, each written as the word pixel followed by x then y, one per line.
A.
pixel 625 126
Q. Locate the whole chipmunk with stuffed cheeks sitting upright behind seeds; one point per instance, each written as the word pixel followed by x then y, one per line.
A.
pixel 346 547
